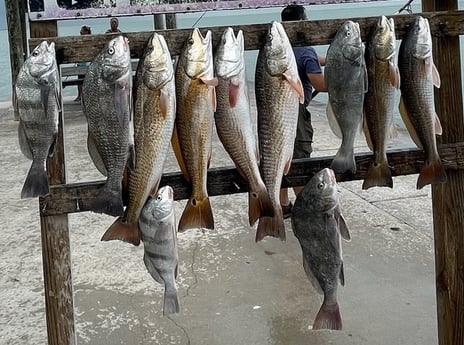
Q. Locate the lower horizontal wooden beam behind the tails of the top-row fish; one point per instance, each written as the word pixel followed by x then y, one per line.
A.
pixel 77 197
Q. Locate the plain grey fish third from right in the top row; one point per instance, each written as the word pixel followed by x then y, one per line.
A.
pixel 346 79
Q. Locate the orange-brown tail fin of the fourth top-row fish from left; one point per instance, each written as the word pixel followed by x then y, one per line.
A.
pixel 197 214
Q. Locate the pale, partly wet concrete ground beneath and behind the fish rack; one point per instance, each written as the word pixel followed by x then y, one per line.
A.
pixel 231 290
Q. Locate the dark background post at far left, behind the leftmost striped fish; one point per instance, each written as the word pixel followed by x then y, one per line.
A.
pixel 14 12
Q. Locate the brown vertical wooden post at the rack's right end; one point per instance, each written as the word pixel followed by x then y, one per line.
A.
pixel 448 198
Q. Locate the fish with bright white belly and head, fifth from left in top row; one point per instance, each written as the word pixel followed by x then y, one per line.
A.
pixel 233 121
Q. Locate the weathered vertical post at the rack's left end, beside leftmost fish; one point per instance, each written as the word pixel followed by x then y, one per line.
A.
pixel 56 251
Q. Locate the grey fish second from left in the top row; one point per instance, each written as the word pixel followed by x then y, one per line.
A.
pixel 107 98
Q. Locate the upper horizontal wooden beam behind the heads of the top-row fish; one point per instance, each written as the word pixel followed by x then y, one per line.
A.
pixel 314 32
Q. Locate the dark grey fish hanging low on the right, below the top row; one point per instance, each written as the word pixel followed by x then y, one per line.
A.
pixel 319 225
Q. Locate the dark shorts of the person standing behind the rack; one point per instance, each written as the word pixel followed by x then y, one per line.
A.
pixel 304 134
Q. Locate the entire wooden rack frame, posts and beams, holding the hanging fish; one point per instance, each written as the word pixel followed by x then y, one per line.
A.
pixel 448 199
